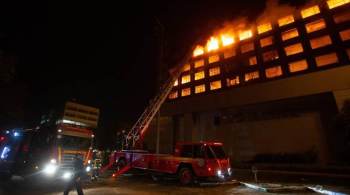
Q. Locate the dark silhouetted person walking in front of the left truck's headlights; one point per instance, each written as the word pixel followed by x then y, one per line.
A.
pixel 77 176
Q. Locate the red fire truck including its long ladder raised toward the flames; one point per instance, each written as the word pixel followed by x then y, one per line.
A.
pixel 191 161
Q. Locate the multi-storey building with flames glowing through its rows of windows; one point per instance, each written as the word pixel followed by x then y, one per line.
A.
pixel 270 92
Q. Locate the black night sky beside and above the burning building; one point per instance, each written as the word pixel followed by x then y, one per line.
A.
pixel 104 54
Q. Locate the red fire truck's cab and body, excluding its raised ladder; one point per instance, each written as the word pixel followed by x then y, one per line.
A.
pixel 190 162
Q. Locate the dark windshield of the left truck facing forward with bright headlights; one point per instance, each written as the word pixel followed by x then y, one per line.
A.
pixel 73 142
